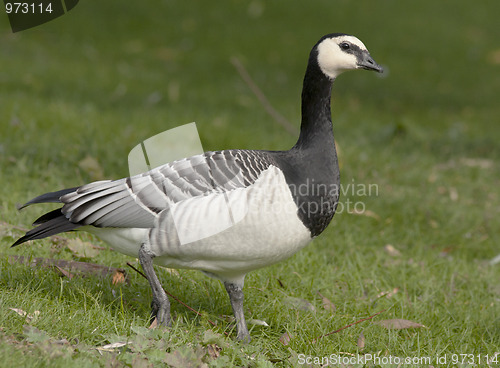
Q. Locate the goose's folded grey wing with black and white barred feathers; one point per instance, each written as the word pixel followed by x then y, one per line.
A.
pixel 136 201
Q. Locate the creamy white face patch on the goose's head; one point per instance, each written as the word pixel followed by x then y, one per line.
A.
pixel 333 60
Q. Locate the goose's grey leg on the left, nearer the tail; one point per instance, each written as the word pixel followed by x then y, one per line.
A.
pixel 160 306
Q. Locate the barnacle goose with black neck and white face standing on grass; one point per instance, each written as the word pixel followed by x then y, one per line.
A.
pixel 275 202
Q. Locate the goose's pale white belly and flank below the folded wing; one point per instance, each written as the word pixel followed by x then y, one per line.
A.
pixel 266 230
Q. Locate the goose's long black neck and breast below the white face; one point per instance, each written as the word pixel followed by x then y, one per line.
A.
pixel 313 162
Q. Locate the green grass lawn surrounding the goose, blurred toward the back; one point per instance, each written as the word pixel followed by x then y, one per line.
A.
pixel 426 134
